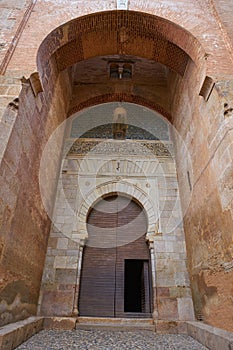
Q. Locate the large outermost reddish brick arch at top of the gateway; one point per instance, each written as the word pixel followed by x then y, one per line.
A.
pixel 116 33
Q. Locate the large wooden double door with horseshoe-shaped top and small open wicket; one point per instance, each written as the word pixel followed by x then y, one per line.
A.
pixel 116 277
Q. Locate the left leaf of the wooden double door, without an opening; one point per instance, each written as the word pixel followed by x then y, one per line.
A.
pixel 97 288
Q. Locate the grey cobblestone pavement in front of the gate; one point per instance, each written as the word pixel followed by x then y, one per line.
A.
pixel 107 340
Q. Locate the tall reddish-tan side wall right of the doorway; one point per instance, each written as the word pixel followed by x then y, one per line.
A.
pixel 205 127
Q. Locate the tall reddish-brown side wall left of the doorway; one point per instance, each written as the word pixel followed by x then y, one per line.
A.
pixel 24 223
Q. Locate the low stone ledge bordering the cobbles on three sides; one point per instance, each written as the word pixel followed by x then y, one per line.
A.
pixel 12 335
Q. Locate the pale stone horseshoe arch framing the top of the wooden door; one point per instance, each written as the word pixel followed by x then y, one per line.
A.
pixel 122 188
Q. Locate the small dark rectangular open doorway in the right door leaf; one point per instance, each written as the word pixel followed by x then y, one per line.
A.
pixel 137 288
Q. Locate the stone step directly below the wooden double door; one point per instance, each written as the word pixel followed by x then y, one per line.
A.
pixel 117 324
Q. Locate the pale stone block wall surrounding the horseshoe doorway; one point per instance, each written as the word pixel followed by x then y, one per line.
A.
pixel 80 177
